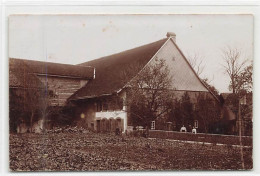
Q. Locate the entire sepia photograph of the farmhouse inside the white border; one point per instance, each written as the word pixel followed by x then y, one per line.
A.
pixel 130 92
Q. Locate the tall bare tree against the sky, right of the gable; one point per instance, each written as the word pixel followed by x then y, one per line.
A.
pixel 233 66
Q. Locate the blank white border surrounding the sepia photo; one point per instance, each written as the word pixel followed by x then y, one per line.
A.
pixel 128 7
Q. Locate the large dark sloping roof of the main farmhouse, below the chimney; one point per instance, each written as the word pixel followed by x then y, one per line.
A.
pixel 109 70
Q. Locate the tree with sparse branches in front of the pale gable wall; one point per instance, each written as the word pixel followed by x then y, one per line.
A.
pixel 149 93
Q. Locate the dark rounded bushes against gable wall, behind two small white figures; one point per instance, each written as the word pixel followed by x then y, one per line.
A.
pixel 184 112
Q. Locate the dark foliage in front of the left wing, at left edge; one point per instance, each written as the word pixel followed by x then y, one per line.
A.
pixel 30 105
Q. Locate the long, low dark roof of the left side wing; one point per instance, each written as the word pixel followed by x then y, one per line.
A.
pixel 55 69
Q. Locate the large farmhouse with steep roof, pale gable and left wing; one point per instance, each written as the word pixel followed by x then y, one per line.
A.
pixel 96 89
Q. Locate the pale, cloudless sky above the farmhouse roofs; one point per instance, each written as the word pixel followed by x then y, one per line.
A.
pixel 73 39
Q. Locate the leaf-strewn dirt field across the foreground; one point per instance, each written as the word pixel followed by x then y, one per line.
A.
pixel 74 151
